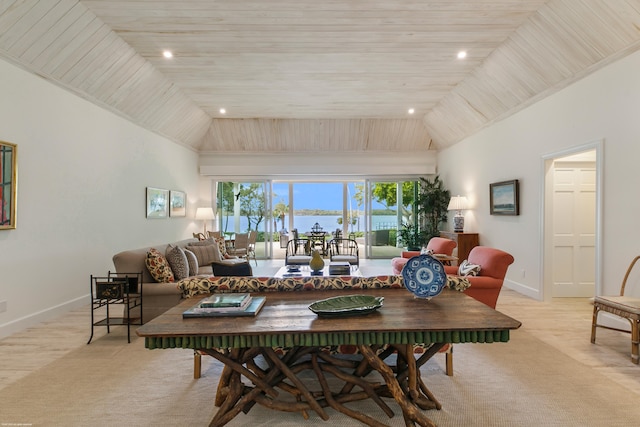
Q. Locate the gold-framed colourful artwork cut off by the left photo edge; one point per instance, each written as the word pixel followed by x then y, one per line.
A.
pixel 8 184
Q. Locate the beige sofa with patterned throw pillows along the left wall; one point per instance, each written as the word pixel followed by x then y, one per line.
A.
pixel 159 297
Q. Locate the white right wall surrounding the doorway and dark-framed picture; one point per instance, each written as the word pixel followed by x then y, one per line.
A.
pixel 603 106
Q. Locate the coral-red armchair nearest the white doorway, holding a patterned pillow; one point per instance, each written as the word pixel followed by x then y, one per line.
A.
pixel 485 287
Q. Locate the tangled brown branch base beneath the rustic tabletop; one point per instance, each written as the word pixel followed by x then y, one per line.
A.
pixel 402 382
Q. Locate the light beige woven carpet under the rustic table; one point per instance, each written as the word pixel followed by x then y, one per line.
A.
pixel 524 382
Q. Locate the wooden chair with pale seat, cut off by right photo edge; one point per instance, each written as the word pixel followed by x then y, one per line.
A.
pixel 626 307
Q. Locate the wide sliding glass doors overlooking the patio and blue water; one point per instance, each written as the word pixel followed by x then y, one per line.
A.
pixel 370 212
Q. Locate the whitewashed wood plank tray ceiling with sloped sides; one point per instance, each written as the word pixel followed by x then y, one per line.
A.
pixel 308 75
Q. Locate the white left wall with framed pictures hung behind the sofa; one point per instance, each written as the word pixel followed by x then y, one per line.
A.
pixel 82 173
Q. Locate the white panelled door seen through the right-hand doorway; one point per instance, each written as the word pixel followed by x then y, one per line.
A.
pixel 574 228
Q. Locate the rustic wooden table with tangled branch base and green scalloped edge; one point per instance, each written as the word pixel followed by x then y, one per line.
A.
pixel 285 322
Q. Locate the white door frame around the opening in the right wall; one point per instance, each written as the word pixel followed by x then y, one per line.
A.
pixel 546 209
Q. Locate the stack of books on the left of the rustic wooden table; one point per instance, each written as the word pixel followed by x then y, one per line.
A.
pixel 226 305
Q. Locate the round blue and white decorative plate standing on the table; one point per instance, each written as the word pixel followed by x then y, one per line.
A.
pixel 424 276
